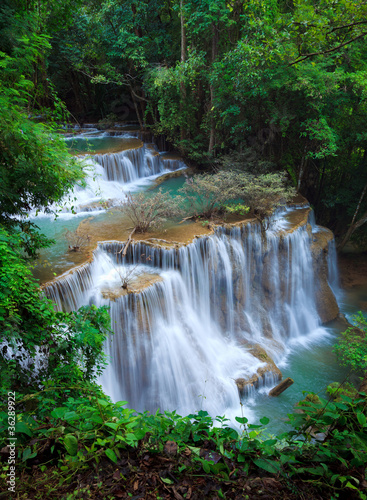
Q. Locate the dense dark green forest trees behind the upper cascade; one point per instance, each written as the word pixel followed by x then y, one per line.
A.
pixel 261 84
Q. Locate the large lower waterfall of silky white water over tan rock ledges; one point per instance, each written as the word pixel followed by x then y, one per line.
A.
pixel 198 325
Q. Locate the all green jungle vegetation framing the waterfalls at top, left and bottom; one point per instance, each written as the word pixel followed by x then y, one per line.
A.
pixel 270 87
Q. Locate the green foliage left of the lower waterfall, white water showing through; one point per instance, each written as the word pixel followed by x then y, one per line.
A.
pixel 39 347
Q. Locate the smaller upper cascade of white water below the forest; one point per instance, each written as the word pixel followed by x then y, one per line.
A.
pixel 110 175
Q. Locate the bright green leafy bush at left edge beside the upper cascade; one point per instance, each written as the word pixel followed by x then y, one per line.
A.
pixel 35 170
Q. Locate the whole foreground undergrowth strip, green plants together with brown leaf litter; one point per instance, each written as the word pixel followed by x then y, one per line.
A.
pixel 92 448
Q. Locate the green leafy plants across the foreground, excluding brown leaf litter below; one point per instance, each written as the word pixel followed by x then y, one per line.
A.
pixel 85 433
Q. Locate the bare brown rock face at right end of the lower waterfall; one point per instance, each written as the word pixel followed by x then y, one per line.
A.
pixel 327 306
